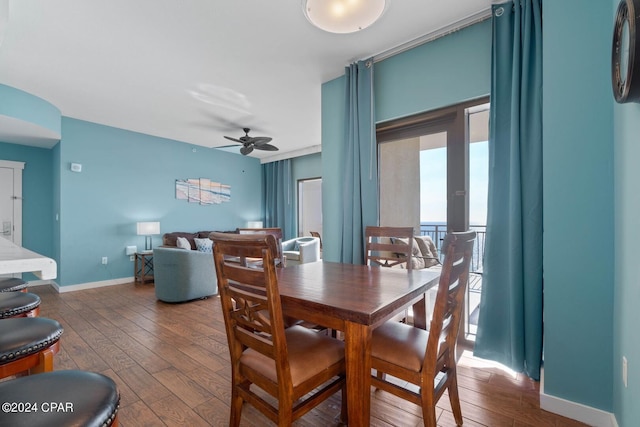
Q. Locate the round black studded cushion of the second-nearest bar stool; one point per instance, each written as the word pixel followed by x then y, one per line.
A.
pixel 22 336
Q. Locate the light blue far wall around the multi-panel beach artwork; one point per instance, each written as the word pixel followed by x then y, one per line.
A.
pixel 128 177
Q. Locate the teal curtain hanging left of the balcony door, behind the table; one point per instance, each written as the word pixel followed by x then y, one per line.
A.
pixel 360 190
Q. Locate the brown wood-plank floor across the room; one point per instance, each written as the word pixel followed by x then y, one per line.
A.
pixel 171 364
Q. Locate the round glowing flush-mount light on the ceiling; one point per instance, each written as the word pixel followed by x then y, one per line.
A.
pixel 343 16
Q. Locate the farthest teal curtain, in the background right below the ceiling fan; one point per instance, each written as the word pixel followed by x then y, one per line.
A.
pixel 279 205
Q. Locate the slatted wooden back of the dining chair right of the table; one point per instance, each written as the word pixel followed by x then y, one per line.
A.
pixel 447 312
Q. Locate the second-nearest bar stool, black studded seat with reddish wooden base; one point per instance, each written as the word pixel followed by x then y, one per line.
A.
pixel 28 344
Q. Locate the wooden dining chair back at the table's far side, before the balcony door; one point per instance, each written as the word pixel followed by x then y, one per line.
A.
pixel 389 246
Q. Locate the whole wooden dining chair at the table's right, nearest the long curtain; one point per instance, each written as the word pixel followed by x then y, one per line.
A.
pixel 428 358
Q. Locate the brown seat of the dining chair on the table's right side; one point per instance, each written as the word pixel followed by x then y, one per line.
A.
pixel 400 344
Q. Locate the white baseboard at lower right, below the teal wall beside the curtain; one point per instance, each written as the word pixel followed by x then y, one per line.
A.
pixel 576 411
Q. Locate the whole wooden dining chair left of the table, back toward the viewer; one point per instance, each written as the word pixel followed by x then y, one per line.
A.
pixel 297 366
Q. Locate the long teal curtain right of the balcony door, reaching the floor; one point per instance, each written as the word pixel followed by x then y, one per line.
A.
pixel 510 321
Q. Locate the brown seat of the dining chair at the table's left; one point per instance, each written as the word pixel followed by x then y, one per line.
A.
pixel 309 353
